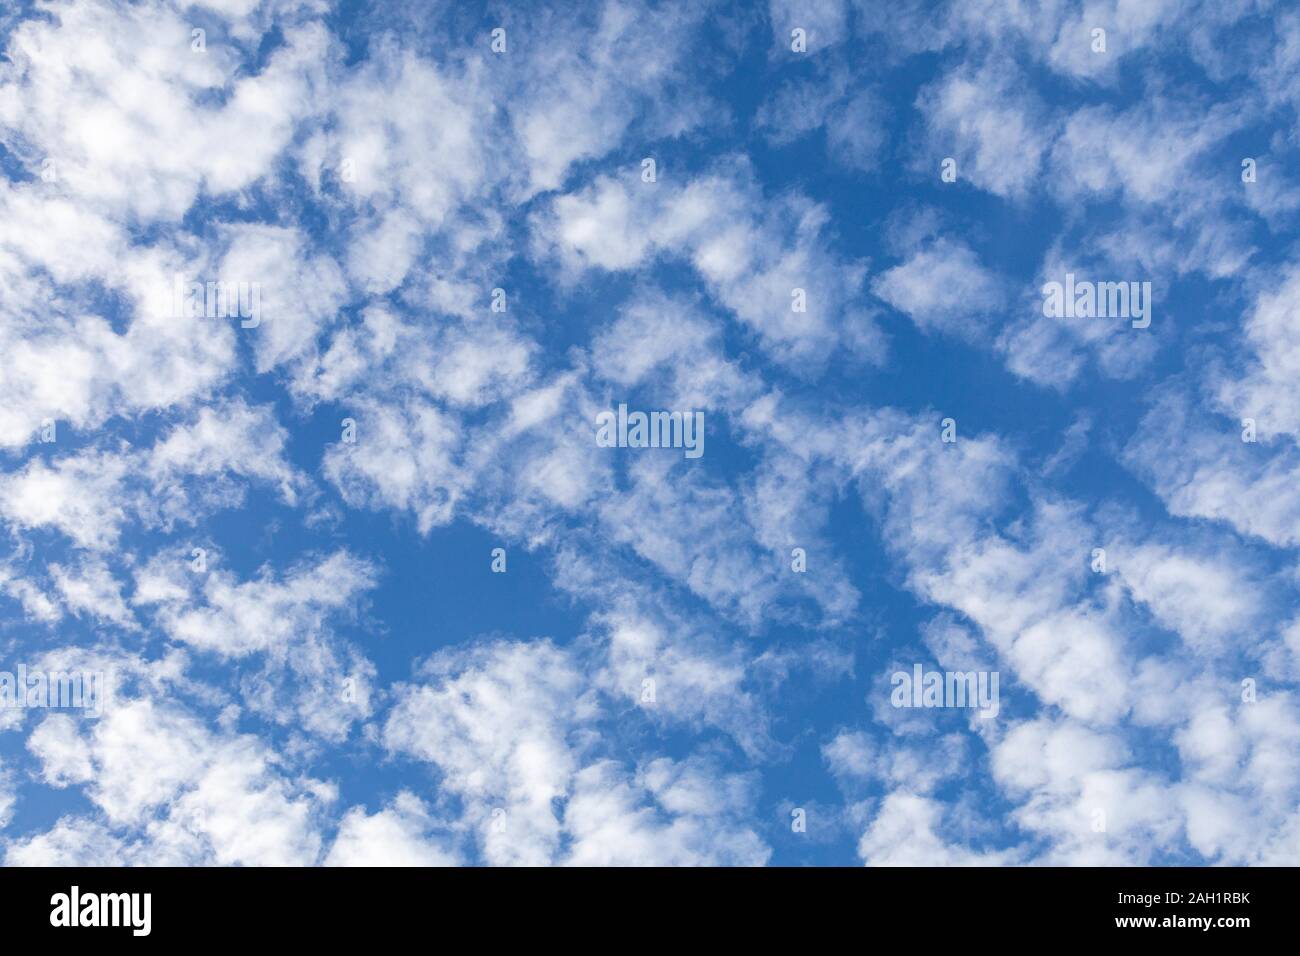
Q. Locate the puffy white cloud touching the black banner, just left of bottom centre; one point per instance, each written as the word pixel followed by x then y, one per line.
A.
pixel 509 726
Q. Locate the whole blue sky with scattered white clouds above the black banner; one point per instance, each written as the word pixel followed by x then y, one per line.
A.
pixel 1108 525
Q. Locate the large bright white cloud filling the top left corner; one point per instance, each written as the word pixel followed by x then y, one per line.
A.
pixel 116 97
